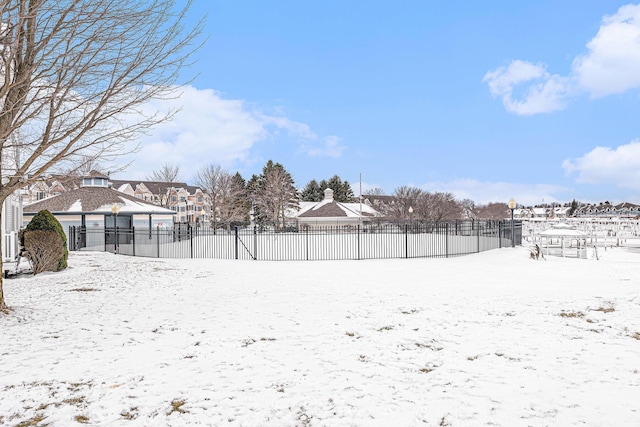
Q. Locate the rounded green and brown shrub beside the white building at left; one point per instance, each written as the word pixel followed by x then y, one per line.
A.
pixel 44 243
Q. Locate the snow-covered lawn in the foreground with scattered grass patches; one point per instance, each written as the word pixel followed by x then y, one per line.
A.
pixel 493 338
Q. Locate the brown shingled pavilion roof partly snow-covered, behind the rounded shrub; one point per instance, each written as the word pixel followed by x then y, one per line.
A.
pixel 94 200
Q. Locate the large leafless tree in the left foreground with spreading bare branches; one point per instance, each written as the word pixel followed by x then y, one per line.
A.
pixel 74 75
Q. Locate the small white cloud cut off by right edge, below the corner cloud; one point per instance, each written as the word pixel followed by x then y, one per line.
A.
pixel 604 165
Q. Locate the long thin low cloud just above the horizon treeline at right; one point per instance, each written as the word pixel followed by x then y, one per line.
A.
pixel 482 192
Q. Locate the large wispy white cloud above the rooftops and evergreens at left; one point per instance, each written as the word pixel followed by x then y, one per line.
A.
pixel 209 129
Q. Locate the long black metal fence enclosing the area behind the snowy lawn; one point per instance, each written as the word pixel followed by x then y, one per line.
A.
pixel 375 241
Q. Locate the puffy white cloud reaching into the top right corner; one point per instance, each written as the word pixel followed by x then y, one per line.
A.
pixel 611 65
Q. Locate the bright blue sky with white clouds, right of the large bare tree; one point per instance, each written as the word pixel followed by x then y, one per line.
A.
pixel 539 101
